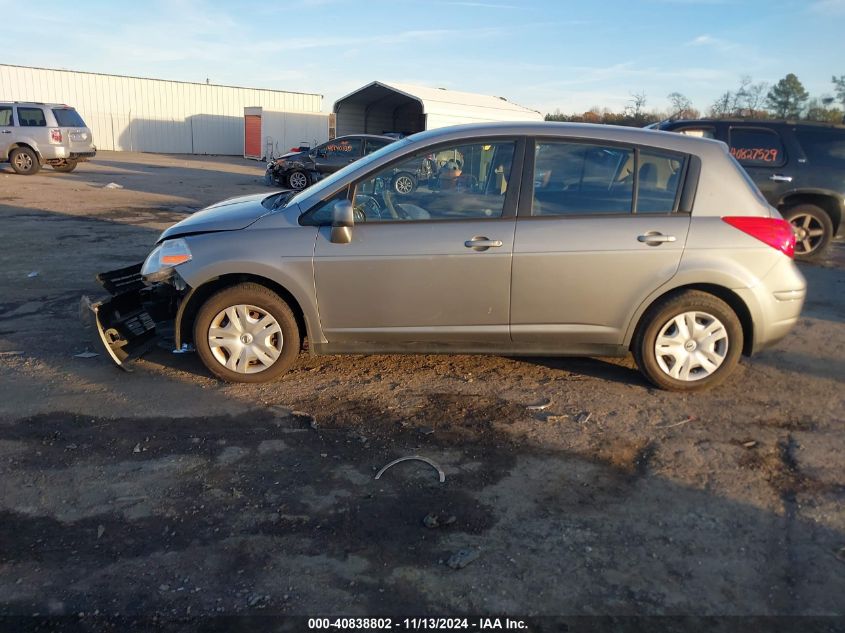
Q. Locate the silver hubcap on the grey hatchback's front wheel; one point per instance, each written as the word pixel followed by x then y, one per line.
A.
pixel 245 339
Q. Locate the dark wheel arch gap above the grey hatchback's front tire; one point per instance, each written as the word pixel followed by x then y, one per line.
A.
pixel 190 305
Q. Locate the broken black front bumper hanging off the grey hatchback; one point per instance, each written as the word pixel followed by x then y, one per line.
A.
pixel 137 315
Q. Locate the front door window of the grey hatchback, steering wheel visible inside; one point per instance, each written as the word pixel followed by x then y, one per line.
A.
pixel 460 182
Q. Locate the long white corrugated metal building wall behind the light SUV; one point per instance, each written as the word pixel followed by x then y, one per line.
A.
pixel 152 115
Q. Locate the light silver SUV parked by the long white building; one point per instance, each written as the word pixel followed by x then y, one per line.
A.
pixel 35 134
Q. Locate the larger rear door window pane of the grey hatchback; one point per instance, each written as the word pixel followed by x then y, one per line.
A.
pixel 582 179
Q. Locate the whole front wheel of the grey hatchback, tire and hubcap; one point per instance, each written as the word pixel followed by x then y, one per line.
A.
pixel 229 316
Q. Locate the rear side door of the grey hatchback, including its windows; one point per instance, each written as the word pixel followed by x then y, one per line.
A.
pixel 598 230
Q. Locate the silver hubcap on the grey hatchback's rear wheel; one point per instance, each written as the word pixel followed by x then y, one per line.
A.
pixel 691 346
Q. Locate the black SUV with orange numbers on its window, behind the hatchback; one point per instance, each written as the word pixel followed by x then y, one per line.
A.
pixel 799 168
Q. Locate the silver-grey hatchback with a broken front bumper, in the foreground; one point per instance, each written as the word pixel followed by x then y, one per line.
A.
pixel 533 239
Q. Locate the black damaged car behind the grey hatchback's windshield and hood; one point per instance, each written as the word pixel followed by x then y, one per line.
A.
pixel 298 170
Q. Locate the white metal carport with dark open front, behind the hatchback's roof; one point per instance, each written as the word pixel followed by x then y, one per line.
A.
pixel 393 107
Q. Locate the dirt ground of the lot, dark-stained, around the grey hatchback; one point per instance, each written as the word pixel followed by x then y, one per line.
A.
pixel 164 491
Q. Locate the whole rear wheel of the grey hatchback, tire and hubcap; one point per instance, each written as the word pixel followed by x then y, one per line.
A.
pixel 674 360
